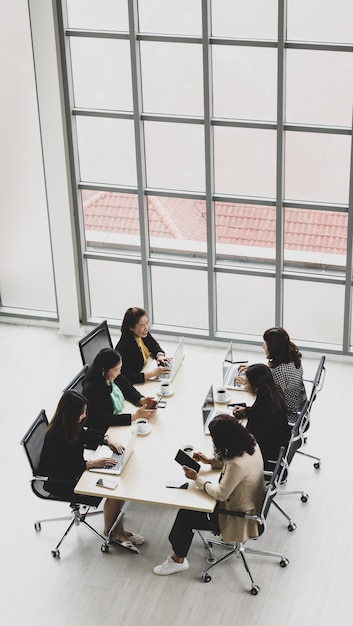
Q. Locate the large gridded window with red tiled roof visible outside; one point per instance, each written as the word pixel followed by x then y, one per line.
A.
pixel 211 145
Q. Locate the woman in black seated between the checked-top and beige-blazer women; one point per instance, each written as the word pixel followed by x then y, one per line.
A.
pixel 267 417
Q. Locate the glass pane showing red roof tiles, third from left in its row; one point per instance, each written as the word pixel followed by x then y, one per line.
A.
pixel 245 233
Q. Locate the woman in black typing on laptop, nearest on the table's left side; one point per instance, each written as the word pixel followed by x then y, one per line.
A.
pixel 63 462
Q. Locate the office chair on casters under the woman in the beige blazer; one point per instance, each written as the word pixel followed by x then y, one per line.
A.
pixel 238 548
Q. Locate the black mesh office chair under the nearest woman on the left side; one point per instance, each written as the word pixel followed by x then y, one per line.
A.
pixel 33 442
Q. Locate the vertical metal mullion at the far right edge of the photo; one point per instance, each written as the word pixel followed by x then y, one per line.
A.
pixel 349 269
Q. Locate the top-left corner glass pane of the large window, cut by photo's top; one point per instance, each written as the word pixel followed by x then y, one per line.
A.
pixel 102 15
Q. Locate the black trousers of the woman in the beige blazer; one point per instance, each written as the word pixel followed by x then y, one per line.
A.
pixel 186 520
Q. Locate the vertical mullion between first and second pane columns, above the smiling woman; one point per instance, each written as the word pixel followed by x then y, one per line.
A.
pixel 140 153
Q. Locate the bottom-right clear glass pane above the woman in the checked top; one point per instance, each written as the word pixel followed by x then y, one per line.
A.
pixel 317 322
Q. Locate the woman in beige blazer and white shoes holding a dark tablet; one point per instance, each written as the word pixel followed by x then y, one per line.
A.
pixel 240 488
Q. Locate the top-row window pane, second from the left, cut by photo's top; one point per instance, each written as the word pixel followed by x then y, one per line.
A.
pixel 168 16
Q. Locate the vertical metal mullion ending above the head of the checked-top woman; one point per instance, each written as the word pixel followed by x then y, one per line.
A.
pixel 282 5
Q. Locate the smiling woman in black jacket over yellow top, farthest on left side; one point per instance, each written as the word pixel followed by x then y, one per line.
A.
pixel 136 344
